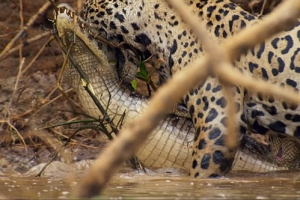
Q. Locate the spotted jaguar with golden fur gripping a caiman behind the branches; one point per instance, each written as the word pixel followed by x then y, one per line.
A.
pixel 154 31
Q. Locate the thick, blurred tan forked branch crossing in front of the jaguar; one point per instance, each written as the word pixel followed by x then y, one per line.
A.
pixel 128 142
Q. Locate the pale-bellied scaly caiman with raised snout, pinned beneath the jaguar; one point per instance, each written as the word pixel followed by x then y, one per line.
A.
pixel 169 144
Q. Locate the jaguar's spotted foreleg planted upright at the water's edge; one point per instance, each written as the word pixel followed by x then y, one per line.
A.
pixel 211 157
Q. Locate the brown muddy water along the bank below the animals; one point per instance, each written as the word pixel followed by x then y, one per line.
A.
pixel 168 183
